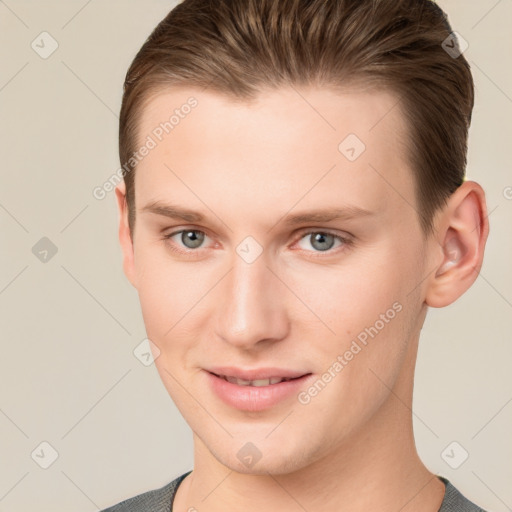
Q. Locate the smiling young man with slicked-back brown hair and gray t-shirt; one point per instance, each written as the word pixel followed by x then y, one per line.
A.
pixel 293 202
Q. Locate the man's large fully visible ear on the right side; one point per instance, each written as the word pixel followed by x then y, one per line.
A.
pixel 462 228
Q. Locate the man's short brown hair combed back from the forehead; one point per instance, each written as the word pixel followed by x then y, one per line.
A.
pixel 240 47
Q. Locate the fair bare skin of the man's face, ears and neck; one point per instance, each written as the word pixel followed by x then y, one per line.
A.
pixel 246 167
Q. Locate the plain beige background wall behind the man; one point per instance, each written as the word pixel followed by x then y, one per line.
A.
pixel 70 325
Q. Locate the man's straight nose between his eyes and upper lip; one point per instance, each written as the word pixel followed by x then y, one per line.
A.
pixel 251 308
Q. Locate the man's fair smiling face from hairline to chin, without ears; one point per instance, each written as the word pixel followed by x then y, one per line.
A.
pixel 278 238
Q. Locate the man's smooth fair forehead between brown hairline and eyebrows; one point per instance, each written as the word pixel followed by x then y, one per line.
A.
pixel 316 144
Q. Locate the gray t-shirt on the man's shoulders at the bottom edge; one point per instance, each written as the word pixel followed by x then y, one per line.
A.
pixel 160 500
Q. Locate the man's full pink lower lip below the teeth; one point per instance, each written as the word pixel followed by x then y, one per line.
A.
pixel 255 398
